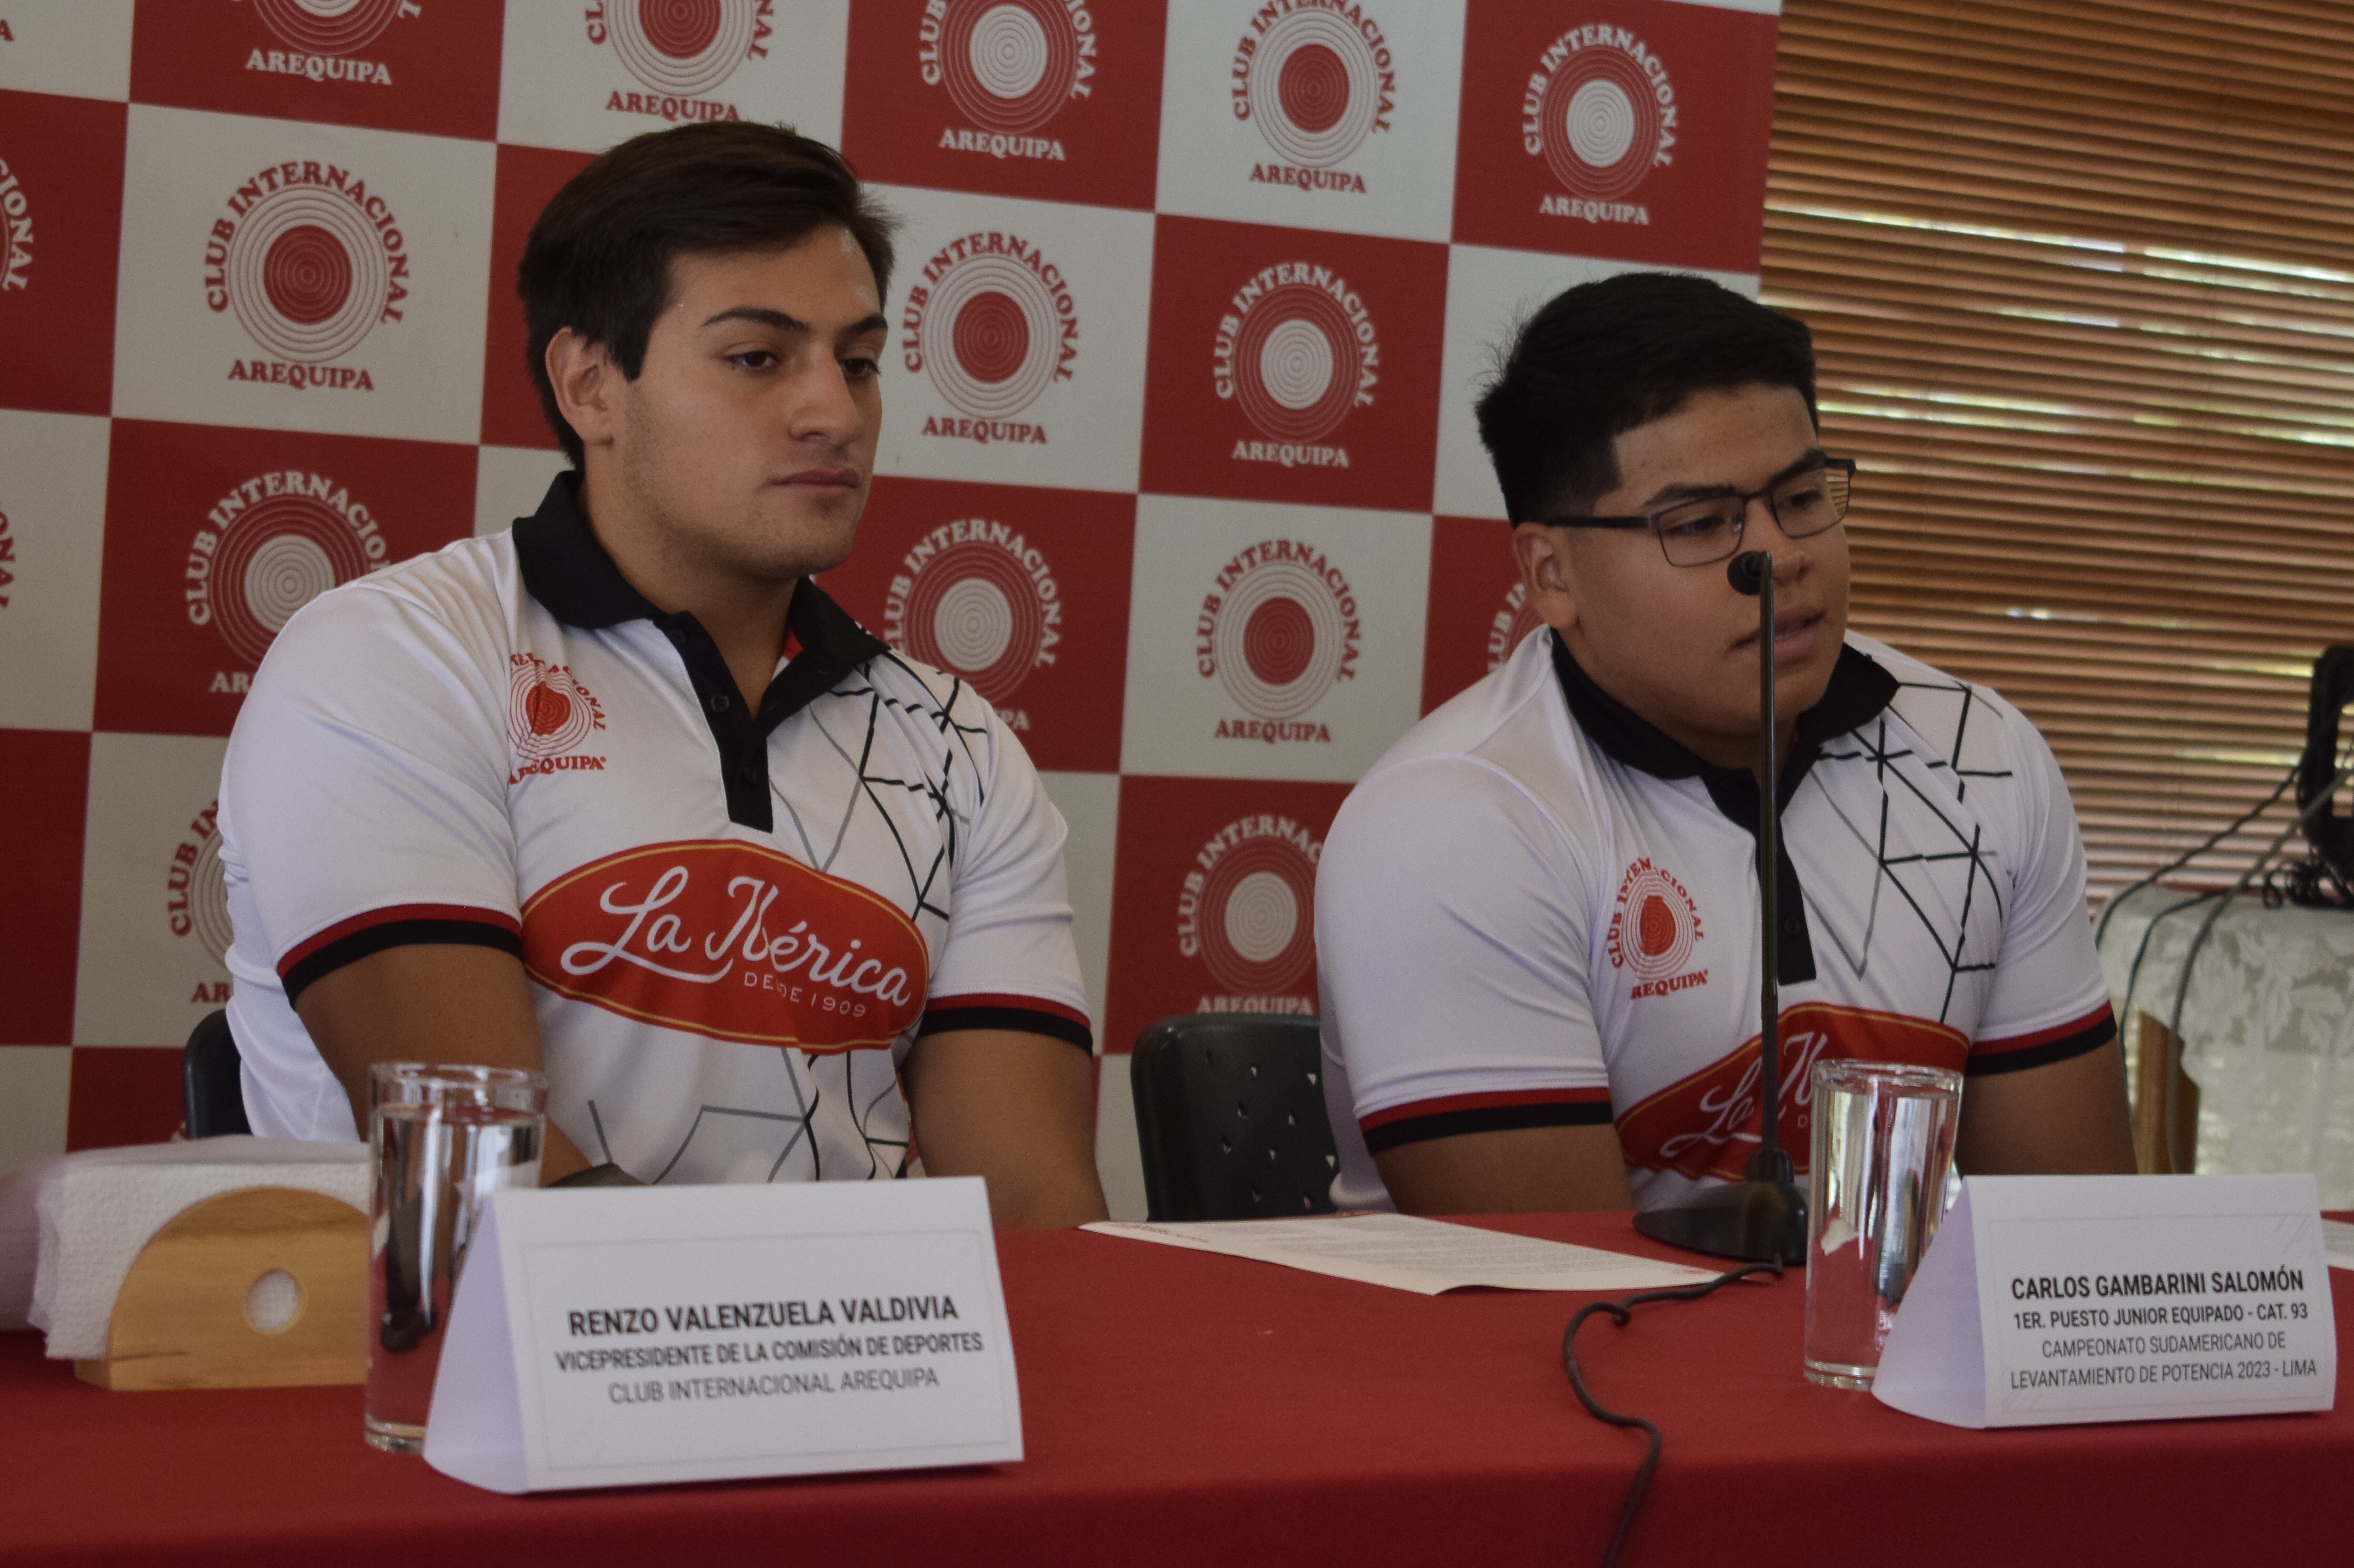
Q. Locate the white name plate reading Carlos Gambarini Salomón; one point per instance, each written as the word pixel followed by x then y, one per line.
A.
pixel 2052 1301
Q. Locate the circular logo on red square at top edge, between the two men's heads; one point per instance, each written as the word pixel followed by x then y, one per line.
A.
pixel 1009 65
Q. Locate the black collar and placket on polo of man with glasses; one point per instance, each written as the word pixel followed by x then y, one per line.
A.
pixel 1854 698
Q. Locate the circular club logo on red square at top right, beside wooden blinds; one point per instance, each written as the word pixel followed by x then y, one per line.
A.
pixel 1602 112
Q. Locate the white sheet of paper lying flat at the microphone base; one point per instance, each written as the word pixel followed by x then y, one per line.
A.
pixel 1409 1254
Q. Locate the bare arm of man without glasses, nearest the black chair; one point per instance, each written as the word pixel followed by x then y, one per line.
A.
pixel 1016 1110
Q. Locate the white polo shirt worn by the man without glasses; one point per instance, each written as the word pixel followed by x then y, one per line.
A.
pixel 736 924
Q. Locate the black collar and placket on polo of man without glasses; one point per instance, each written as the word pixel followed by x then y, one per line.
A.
pixel 578 583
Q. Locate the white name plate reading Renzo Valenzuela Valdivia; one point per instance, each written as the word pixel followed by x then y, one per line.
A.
pixel 698 1334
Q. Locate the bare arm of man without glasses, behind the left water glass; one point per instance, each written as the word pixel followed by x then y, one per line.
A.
pixel 430 1004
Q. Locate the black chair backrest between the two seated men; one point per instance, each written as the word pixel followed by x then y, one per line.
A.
pixel 1230 1117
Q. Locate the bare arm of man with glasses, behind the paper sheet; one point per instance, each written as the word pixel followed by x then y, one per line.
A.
pixel 1508 1174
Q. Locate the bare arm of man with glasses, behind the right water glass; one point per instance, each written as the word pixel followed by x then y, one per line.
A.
pixel 2061 1119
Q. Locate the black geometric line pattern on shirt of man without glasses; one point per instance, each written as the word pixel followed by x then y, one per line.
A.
pixel 886 1157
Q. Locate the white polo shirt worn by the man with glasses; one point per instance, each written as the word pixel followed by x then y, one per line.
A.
pixel 1538 910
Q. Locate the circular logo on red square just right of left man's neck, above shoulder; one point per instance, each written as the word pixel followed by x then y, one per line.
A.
pixel 980 602
